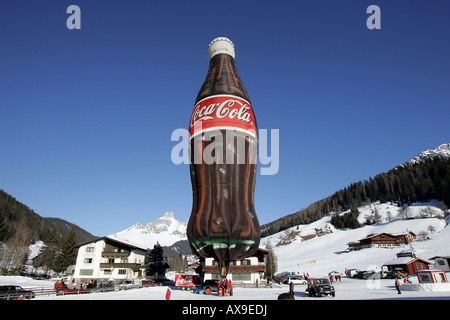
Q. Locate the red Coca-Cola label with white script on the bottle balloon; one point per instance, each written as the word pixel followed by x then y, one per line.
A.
pixel 222 112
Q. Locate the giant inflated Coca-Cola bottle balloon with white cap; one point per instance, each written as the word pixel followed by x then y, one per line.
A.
pixel 223 149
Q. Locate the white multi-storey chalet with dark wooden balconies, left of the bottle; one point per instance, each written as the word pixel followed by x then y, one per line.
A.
pixel 109 259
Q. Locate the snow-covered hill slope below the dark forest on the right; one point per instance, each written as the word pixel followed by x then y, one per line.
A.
pixel 319 247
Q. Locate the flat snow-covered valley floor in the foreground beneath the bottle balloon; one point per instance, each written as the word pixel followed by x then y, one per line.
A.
pixel 347 289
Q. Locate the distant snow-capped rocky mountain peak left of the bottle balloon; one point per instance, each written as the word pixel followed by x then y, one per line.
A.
pixel 166 230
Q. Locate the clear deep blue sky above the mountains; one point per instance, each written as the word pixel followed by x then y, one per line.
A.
pixel 86 116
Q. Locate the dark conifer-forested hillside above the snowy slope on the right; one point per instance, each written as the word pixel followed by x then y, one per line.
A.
pixel 408 183
